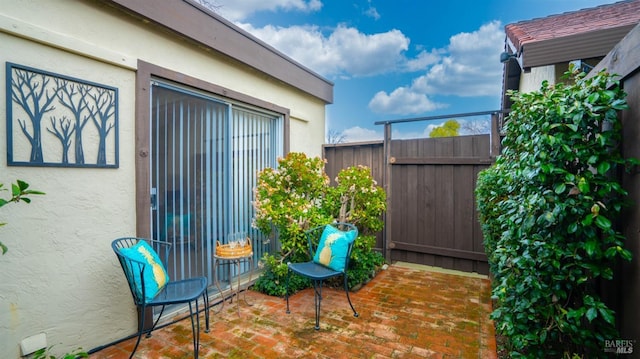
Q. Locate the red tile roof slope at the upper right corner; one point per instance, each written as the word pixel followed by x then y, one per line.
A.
pixel 619 14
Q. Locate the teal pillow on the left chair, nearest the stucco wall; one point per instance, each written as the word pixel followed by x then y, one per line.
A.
pixel 155 275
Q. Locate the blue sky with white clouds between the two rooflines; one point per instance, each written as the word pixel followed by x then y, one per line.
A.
pixel 395 59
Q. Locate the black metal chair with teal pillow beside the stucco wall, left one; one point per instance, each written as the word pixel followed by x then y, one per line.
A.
pixel 151 287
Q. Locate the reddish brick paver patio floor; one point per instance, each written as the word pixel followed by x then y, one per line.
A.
pixel 405 312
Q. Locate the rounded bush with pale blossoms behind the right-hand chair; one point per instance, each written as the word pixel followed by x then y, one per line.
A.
pixel 297 196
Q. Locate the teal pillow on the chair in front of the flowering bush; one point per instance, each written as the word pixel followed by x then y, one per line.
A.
pixel 333 247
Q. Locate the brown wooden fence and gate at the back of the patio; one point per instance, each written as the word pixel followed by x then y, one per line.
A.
pixel 431 216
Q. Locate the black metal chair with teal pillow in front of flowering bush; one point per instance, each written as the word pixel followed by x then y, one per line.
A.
pixel 330 247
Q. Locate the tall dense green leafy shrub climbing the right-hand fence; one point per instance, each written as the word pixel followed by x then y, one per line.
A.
pixel 548 208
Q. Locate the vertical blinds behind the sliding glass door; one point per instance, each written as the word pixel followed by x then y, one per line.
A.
pixel 205 156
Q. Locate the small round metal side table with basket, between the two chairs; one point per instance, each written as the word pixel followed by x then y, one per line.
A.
pixel 225 255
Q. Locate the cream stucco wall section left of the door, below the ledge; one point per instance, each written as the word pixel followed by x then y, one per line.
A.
pixel 58 276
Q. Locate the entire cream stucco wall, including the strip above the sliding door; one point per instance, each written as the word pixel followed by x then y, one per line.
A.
pixel 60 276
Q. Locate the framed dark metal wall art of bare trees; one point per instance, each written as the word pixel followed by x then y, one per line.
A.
pixel 49 114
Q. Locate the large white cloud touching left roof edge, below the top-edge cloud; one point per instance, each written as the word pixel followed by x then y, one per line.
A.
pixel 344 52
